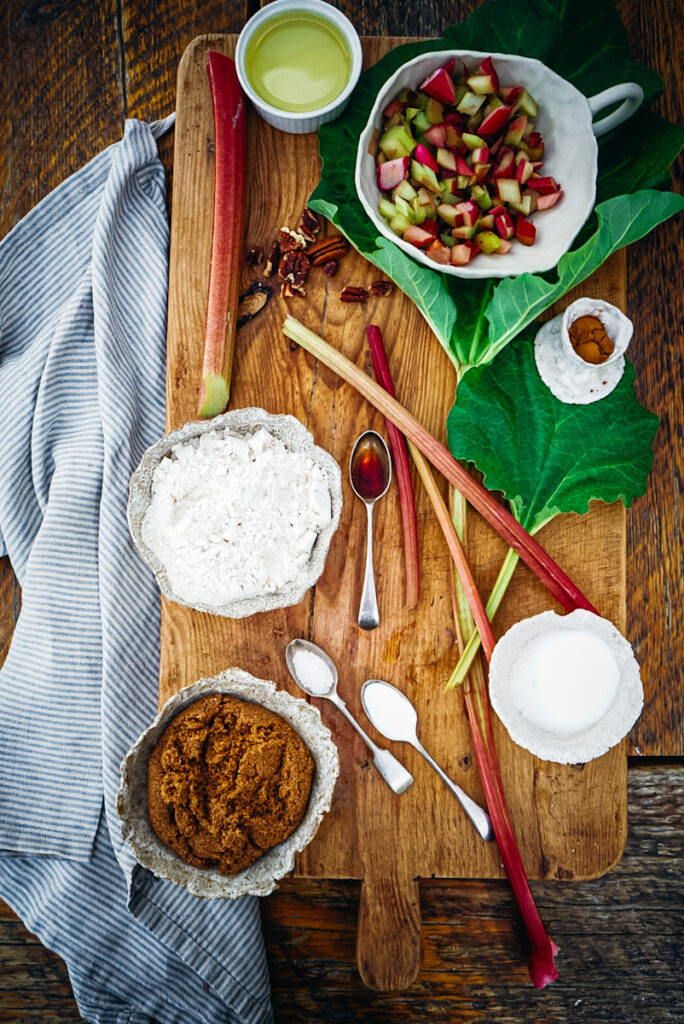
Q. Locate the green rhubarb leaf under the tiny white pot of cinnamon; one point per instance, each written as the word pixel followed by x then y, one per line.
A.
pixel 545 456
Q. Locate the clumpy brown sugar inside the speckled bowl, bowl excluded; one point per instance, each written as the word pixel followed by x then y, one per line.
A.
pixel 227 782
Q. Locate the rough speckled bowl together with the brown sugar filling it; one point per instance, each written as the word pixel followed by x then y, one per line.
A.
pixel 228 785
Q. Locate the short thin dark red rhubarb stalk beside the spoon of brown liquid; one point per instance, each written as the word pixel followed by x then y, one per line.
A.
pixel 399 449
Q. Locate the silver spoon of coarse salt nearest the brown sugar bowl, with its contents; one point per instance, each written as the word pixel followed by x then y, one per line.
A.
pixel 315 673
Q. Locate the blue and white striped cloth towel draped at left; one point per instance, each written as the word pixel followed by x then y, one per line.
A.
pixel 83 286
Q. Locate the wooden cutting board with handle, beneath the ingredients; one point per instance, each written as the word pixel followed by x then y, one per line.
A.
pixel 571 822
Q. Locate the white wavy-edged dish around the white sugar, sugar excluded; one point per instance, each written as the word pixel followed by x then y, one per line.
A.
pixel 592 742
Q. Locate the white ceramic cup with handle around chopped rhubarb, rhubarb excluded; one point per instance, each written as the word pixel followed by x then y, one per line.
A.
pixel 571 156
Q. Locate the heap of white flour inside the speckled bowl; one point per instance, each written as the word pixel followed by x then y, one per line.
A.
pixel 235 518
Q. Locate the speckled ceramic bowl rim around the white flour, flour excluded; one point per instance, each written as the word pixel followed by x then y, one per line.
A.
pixel 241 423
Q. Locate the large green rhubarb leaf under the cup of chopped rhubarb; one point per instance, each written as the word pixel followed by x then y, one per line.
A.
pixel 584 41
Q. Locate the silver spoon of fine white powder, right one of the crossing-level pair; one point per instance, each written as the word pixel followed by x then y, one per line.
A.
pixel 394 715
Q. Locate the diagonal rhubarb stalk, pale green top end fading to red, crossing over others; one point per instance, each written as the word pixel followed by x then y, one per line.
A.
pixel 558 583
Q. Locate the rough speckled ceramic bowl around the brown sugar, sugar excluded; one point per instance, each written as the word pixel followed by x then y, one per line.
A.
pixel 261 879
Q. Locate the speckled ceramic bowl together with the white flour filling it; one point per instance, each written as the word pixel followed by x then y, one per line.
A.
pixel 195 525
